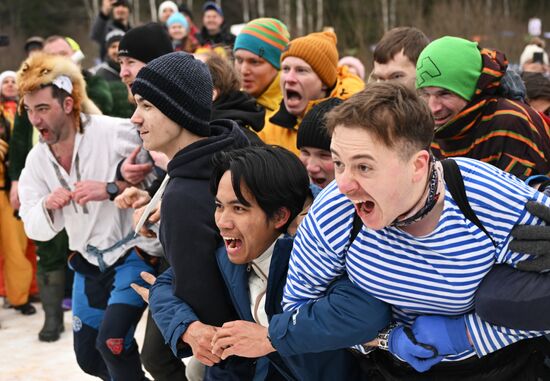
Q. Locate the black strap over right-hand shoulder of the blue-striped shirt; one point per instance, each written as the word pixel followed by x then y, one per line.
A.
pixel 455 183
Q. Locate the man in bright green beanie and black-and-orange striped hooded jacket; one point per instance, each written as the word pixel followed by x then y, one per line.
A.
pixel 462 84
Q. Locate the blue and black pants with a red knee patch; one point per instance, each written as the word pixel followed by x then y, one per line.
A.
pixel 106 311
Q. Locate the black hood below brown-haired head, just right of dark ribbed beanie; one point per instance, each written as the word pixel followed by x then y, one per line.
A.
pixel 241 108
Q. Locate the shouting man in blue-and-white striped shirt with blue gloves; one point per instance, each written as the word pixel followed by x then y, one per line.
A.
pixel 416 250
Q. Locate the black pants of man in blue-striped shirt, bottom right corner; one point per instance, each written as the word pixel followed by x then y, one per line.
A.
pixel 522 361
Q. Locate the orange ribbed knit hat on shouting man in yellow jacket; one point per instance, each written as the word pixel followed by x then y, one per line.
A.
pixel 319 51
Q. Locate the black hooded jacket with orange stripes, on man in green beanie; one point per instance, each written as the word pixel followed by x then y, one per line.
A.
pixel 504 132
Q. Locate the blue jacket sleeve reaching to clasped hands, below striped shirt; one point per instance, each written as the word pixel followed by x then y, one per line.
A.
pixel 344 317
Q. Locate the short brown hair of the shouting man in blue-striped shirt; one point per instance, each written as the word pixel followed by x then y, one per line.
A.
pixel 391 112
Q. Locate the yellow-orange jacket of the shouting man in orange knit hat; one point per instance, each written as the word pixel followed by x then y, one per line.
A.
pixel 281 127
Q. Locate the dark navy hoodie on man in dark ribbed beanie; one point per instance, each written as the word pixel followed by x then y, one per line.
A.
pixel 188 232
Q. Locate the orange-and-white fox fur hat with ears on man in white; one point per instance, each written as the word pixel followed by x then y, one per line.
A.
pixel 42 69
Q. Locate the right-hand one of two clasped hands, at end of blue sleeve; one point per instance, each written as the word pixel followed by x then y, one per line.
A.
pixel 241 338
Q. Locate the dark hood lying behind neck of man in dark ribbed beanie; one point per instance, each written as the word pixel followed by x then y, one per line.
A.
pixel 195 160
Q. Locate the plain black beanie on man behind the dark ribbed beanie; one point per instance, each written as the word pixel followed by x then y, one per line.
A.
pixel 145 43
